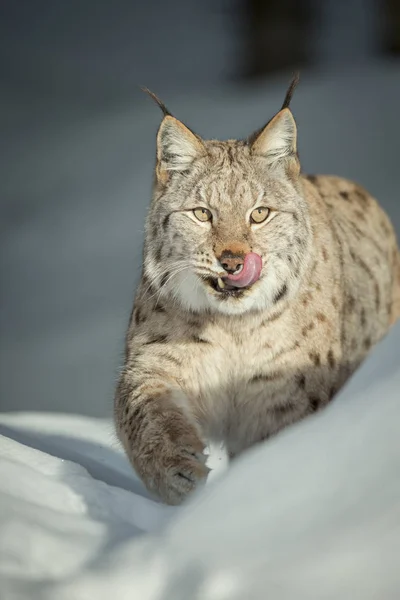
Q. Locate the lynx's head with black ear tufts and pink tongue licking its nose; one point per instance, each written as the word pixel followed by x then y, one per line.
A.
pixel 228 228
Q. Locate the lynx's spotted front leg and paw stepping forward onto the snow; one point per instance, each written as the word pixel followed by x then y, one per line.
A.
pixel 160 438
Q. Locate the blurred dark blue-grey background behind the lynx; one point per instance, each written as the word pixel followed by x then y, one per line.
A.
pixel 77 150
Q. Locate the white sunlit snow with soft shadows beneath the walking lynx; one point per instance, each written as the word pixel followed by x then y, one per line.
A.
pixel 313 513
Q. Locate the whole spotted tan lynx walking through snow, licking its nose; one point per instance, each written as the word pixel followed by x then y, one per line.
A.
pixel 262 290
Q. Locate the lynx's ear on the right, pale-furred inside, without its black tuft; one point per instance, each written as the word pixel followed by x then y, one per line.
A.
pixel 277 141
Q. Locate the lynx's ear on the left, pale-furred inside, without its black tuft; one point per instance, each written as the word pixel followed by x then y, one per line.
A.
pixel 177 147
